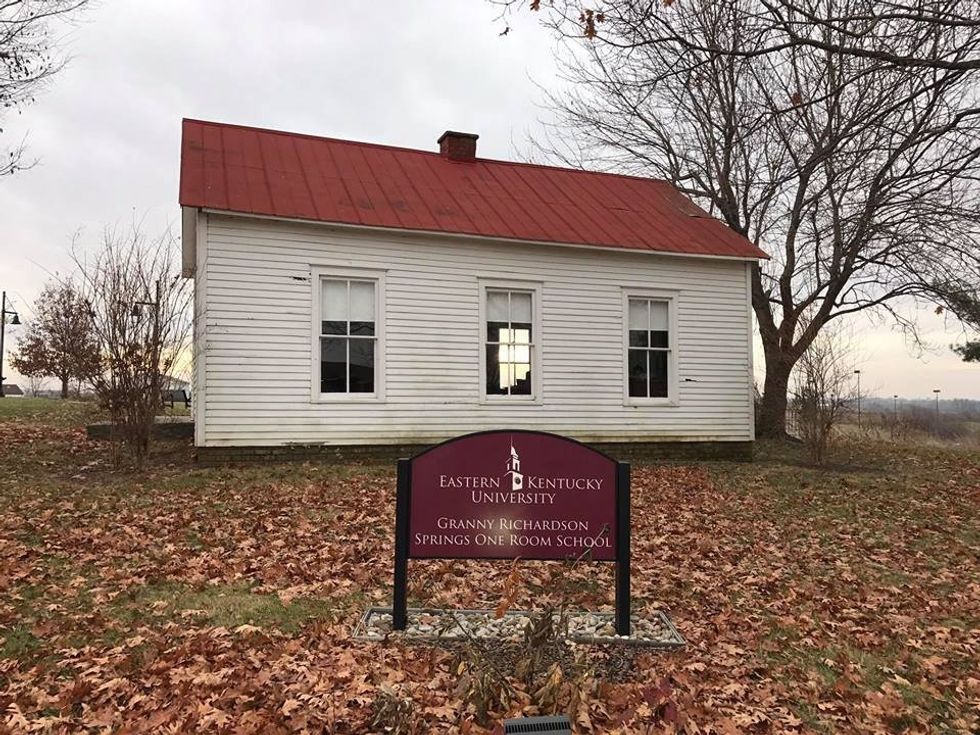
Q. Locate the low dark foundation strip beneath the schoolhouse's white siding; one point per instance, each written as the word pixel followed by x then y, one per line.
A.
pixel 624 451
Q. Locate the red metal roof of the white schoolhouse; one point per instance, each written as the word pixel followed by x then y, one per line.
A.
pixel 268 172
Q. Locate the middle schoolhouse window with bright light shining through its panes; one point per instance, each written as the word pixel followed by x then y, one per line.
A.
pixel 510 342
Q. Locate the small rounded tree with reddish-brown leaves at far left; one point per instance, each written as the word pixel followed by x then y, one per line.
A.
pixel 59 342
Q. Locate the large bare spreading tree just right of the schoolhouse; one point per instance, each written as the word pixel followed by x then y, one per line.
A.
pixel 859 177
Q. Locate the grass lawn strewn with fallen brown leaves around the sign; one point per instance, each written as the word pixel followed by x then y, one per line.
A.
pixel 186 599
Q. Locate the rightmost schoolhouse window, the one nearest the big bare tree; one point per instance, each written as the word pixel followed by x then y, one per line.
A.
pixel 649 348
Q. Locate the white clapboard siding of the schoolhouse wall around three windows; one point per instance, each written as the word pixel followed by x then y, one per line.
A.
pixel 255 348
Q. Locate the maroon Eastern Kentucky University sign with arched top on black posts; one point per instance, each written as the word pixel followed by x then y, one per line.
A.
pixel 508 495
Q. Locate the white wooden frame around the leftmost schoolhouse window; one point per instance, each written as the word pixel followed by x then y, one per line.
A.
pixel 319 274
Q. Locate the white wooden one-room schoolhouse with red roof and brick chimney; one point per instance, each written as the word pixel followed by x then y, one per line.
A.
pixel 358 295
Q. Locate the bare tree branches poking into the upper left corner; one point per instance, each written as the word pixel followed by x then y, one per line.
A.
pixel 28 56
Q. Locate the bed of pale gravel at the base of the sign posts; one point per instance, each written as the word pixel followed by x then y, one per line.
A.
pixel 453 625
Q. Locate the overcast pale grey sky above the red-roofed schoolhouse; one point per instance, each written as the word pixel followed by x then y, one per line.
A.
pixel 106 132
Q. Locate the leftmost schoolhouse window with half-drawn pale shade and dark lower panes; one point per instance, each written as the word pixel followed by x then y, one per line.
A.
pixel 348 336
